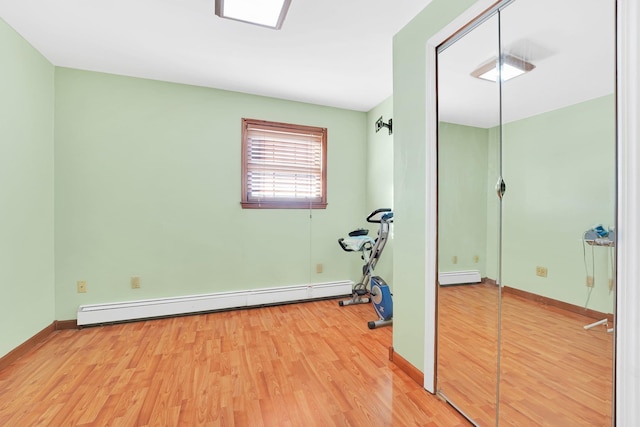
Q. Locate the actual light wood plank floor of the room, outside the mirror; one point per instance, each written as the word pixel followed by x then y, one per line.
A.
pixel 311 364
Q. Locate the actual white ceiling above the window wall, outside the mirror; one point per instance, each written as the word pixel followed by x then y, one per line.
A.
pixel 331 52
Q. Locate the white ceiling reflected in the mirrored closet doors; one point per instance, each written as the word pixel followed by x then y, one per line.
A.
pixel 571 43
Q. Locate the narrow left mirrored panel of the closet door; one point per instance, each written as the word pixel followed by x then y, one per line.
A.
pixel 468 221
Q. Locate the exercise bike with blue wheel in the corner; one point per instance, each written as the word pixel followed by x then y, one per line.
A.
pixel 371 288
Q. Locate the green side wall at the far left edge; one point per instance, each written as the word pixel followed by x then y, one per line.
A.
pixel 26 190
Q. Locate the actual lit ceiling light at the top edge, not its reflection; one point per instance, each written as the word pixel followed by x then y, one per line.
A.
pixel 266 13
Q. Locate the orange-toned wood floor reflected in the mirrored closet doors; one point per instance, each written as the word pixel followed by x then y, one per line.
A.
pixel 553 372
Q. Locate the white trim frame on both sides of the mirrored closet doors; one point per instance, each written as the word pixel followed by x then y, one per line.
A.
pixel 627 340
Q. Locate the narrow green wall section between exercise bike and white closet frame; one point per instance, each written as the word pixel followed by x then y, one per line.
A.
pixel 409 119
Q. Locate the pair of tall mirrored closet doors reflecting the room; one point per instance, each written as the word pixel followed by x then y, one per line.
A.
pixel 526 214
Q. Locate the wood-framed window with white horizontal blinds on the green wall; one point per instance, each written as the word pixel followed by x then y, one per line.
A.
pixel 283 165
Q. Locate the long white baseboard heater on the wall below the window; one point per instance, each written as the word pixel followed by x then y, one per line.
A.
pixel 95 314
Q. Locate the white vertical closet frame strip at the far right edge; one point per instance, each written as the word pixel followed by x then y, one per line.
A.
pixel 627 361
